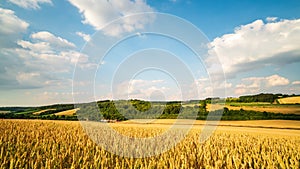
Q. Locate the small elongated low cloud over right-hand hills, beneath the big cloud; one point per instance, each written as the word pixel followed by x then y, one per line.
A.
pixel 252 85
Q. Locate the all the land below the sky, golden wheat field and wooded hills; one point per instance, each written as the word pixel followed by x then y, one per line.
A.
pixel 254 133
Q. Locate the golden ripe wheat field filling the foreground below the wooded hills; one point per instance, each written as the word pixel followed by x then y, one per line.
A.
pixel 63 144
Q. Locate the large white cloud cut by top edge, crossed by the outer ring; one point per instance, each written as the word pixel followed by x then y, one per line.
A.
pixel 100 13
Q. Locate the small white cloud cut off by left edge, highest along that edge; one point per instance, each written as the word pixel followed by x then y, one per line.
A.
pixel 11 27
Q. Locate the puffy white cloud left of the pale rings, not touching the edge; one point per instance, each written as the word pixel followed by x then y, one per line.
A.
pixel 49 50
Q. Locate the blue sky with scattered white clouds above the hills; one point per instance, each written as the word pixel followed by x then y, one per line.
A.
pixel 65 51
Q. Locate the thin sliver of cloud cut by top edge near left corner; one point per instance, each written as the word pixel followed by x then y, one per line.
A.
pixel 30 4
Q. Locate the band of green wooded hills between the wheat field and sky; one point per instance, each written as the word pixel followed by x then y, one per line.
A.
pixel 129 109
